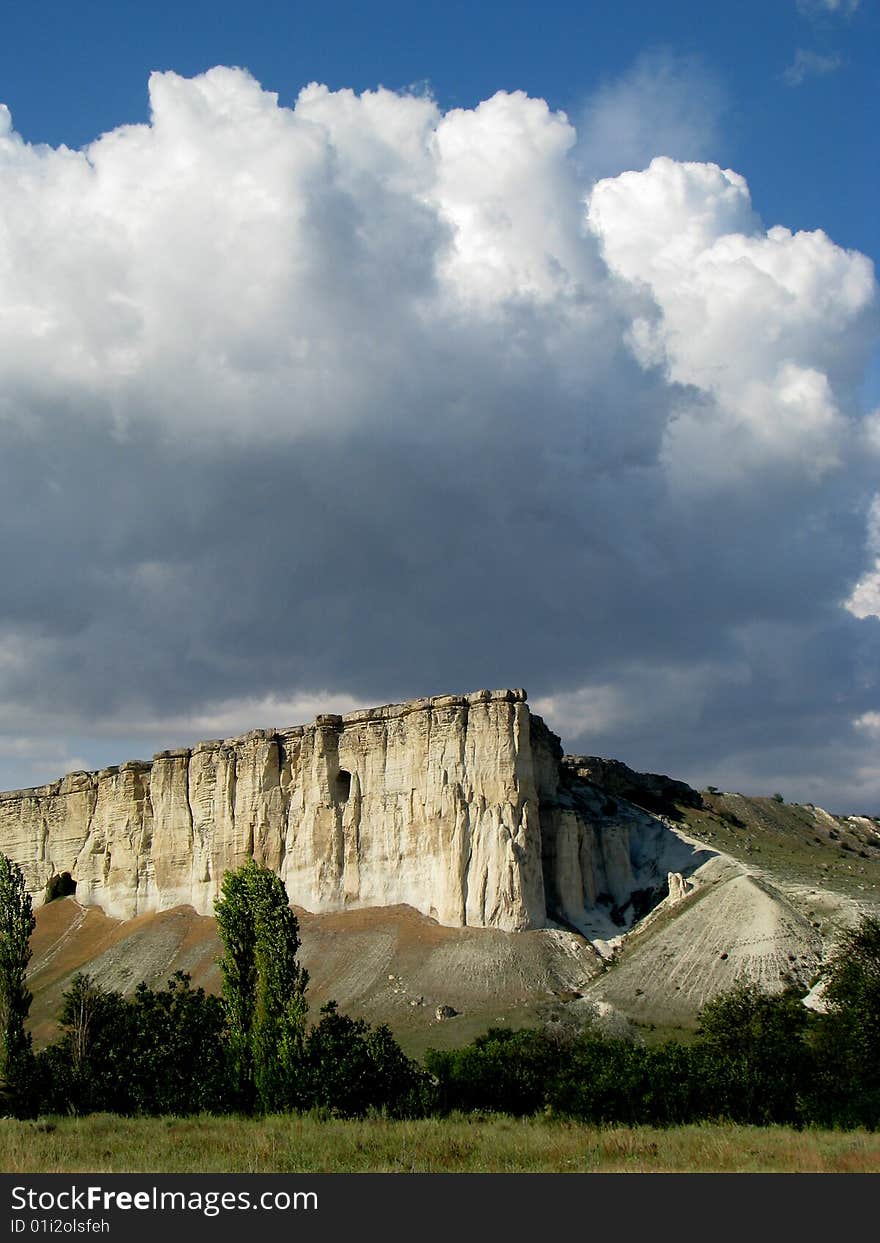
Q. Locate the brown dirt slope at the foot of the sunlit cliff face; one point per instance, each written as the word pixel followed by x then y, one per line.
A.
pixel 388 965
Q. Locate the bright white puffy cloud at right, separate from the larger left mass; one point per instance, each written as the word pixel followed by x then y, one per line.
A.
pixel 775 328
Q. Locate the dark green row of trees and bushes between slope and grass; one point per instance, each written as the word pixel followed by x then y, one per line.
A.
pixel 758 1058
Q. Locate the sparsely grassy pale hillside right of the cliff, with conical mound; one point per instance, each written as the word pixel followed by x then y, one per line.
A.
pixel 770 908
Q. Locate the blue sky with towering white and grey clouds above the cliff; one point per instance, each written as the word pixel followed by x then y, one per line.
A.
pixel 383 351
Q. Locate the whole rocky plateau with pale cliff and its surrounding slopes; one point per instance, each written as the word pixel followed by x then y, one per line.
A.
pixel 451 868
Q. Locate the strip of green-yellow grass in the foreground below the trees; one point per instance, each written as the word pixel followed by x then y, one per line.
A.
pixel 106 1144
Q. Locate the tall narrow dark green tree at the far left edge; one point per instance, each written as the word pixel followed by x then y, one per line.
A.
pixel 17 924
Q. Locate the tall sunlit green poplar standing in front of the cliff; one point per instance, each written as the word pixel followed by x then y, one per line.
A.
pixel 264 989
